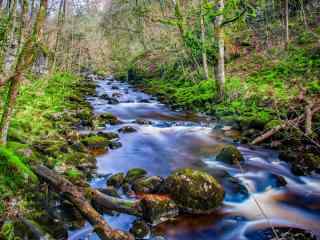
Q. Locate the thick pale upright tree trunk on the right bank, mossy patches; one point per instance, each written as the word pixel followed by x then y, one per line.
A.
pixel 219 66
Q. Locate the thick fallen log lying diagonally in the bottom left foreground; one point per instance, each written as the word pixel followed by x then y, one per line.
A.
pixel 77 198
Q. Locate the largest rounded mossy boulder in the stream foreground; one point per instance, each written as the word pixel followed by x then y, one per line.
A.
pixel 194 191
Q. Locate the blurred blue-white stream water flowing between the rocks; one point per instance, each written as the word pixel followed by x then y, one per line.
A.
pixel 175 140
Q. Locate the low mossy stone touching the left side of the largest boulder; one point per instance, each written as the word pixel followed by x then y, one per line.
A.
pixel 147 184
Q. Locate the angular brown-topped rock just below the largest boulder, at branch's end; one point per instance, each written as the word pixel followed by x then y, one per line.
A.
pixel 158 208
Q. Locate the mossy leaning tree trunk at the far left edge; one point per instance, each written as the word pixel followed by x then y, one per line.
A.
pixel 25 59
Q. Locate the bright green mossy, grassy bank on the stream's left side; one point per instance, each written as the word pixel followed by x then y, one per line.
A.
pixel 42 132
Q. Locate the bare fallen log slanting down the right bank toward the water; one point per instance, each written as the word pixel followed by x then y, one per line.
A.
pixel 286 124
